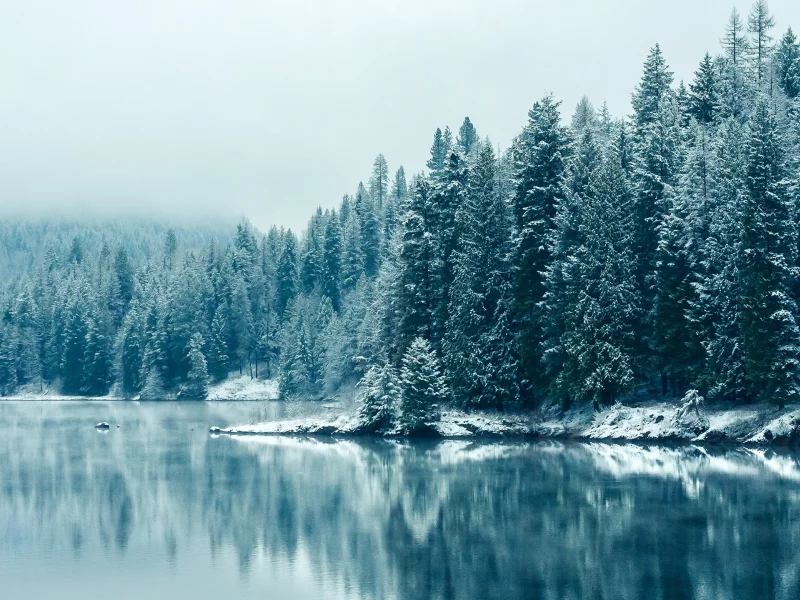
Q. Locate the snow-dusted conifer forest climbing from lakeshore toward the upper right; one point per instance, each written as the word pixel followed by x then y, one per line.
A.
pixel 589 261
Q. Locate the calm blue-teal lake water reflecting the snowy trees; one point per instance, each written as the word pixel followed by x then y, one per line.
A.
pixel 160 509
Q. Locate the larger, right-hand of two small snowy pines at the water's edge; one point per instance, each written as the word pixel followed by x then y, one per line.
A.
pixel 423 389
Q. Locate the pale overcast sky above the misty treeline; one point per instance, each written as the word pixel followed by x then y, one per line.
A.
pixel 270 108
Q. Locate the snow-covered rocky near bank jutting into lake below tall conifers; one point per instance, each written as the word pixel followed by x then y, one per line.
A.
pixel 656 421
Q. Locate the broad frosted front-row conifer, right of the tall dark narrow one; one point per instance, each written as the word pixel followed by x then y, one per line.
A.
pixel 596 304
